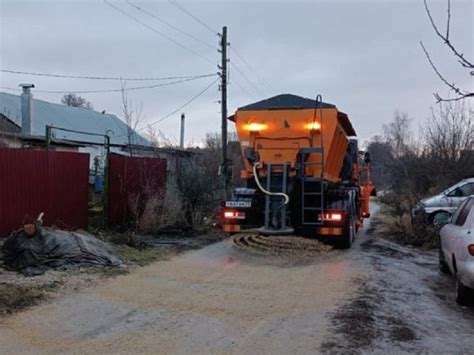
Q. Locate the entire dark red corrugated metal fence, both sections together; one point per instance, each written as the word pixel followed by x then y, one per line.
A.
pixel 57 183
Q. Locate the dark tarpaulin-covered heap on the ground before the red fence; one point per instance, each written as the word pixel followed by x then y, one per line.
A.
pixel 55 249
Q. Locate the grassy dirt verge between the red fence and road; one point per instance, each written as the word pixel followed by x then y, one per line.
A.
pixel 18 292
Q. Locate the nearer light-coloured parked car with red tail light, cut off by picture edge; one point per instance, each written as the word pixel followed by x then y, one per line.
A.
pixel 456 252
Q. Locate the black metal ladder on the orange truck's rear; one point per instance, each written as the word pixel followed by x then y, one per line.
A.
pixel 312 188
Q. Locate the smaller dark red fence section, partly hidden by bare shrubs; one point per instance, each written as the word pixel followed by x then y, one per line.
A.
pixel 132 182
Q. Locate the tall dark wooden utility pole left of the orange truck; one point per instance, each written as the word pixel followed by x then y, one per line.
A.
pixel 223 68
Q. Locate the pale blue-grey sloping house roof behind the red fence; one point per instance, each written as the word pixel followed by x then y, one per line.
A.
pixel 74 118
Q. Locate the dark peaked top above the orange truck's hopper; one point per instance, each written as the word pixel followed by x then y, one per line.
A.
pixel 285 101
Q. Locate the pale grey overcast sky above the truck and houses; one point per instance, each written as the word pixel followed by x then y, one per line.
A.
pixel 362 56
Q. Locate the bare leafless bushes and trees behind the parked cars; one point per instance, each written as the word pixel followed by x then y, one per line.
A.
pixel 412 170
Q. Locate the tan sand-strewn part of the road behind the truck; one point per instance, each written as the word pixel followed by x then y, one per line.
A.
pixel 217 299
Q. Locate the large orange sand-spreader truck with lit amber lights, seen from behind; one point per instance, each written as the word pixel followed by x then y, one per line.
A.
pixel 303 170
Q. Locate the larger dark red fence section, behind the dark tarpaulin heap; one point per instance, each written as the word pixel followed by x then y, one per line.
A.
pixel 34 181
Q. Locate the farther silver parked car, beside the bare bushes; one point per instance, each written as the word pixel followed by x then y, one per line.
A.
pixel 439 208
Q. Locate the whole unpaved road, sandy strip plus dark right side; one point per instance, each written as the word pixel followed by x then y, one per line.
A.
pixel 372 298
